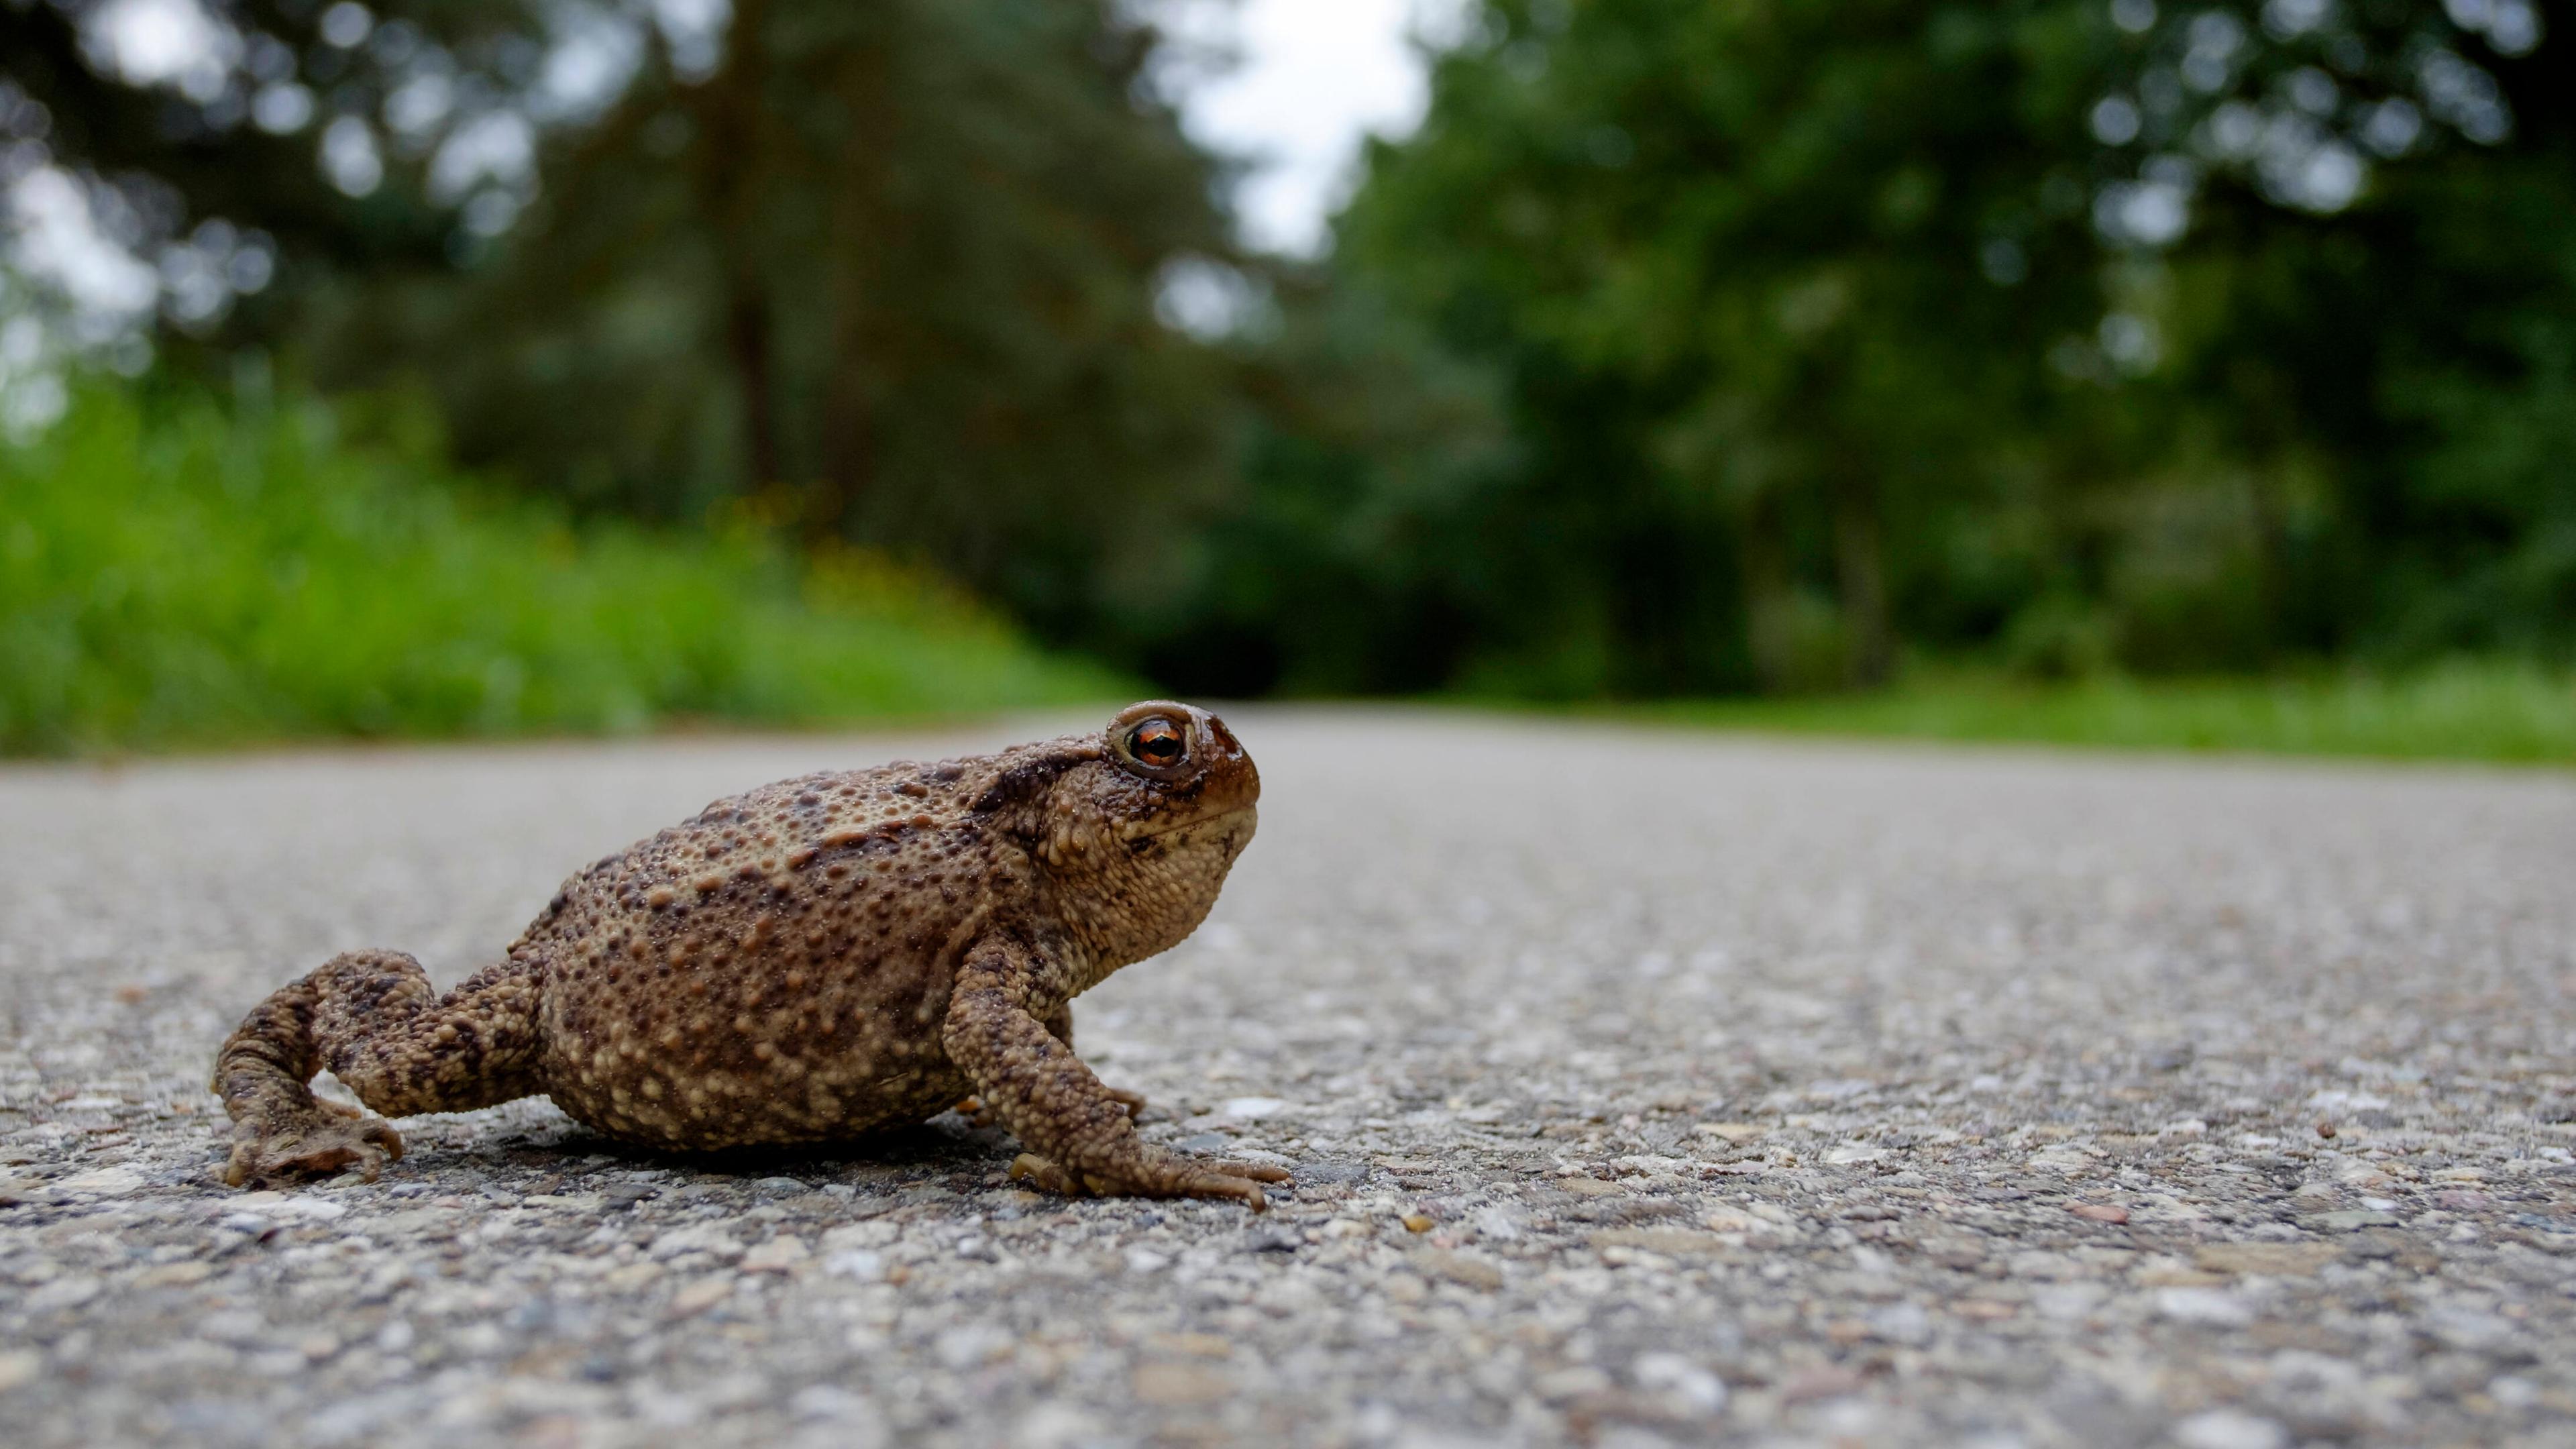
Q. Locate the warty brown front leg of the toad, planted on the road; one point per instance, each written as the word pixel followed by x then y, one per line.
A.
pixel 1078 1131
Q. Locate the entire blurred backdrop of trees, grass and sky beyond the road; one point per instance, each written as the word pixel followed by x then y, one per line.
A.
pixel 2098 370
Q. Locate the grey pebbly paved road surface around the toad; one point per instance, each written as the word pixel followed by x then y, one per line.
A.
pixel 1642 1089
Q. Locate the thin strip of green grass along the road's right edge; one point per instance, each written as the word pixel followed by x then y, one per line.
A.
pixel 2467 710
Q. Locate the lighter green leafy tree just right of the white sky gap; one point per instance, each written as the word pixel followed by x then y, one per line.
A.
pixel 1763 287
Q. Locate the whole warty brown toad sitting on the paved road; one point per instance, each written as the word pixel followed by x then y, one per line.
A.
pixel 805 963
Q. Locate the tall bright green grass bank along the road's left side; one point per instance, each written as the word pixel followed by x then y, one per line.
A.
pixel 179 571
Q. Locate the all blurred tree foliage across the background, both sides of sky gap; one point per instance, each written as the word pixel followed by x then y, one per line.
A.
pixel 1750 347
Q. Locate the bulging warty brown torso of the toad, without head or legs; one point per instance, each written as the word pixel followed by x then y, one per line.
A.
pixel 777 968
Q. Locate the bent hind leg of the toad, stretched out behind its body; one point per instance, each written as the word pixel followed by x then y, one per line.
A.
pixel 377 1025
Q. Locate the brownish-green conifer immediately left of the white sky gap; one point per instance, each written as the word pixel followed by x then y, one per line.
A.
pixel 887 267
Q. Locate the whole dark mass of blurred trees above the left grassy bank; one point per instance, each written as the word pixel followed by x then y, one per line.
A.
pixel 887 272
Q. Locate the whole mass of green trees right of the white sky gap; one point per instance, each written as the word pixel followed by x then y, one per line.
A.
pixel 1802 352
